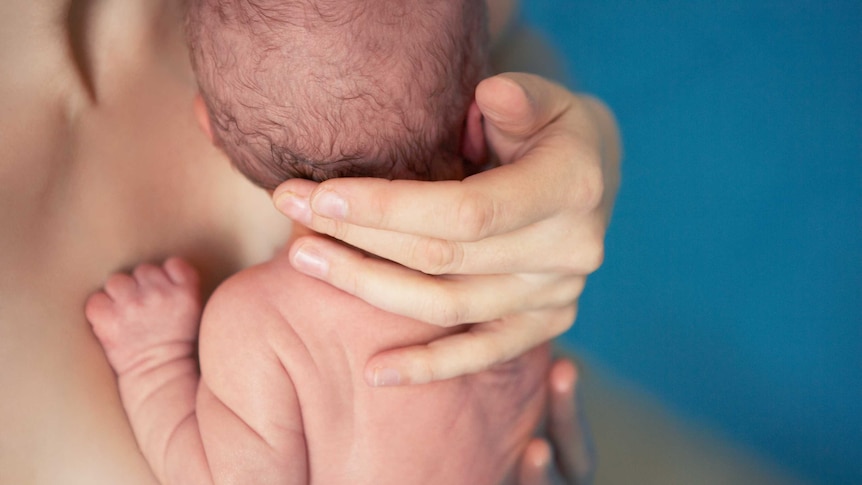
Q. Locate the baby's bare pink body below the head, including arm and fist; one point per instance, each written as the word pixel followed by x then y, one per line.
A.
pixel 281 397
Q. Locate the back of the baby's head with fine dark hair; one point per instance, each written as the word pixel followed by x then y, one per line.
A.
pixel 319 89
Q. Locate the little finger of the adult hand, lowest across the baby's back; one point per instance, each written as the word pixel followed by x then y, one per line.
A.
pixel 479 348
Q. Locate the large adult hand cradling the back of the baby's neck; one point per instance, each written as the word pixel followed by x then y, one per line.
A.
pixel 507 250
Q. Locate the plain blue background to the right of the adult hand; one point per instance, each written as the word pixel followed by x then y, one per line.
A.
pixel 732 287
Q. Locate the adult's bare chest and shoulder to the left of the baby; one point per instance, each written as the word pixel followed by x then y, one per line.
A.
pixel 101 167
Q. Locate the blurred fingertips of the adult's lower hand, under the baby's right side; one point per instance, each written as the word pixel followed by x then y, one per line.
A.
pixel 568 458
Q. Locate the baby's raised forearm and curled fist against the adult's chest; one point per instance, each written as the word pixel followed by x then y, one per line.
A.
pixel 147 324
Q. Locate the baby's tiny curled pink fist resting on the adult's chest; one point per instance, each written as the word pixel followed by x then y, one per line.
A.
pixel 148 318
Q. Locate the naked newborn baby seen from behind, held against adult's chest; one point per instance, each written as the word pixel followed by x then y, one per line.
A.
pixel 316 89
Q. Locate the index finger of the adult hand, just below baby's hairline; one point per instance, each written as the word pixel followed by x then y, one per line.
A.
pixel 494 202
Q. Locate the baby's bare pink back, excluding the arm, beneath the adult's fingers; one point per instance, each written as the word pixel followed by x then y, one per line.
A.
pixel 468 430
